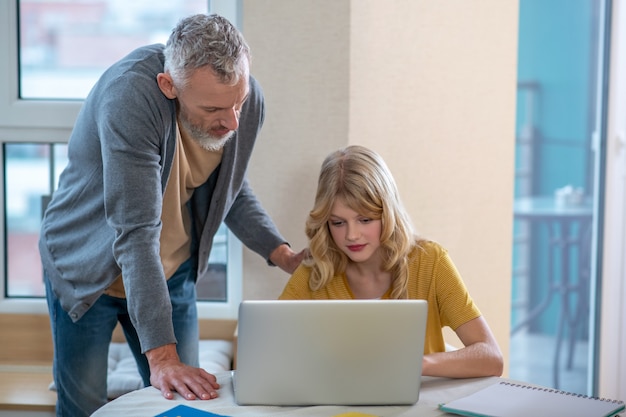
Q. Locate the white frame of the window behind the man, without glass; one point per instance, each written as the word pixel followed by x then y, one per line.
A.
pixel 51 121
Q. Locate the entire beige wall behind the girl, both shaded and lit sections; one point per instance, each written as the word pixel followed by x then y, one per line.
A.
pixel 429 85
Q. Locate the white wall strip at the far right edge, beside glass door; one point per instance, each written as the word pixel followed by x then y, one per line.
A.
pixel 612 358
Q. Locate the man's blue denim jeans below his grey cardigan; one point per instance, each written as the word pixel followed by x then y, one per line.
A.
pixel 81 349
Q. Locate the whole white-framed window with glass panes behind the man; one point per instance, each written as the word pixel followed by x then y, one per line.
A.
pixel 60 51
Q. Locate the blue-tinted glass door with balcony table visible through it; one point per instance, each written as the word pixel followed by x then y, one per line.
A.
pixel 557 193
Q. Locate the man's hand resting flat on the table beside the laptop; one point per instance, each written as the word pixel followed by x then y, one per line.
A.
pixel 169 374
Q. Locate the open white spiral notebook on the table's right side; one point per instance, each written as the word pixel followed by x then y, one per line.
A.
pixel 506 399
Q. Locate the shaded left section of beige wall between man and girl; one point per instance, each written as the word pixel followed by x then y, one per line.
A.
pixel 301 56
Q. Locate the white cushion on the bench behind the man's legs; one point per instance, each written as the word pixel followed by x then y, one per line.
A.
pixel 123 375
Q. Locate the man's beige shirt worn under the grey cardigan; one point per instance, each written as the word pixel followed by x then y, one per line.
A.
pixel 191 167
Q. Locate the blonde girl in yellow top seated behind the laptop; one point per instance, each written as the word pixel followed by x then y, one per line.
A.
pixel 362 245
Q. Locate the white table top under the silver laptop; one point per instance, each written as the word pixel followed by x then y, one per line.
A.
pixel 149 401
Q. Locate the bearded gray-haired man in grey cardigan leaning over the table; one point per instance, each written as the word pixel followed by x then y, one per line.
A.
pixel 157 160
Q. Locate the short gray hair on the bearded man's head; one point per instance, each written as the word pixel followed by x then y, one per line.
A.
pixel 206 40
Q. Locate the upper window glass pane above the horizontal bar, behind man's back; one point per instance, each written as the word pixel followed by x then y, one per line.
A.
pixel 64 46
